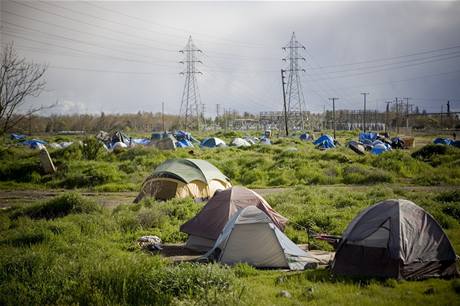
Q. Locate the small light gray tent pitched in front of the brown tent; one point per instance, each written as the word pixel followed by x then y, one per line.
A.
pixel 251 237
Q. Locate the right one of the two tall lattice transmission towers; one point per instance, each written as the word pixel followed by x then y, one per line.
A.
pixel 295 98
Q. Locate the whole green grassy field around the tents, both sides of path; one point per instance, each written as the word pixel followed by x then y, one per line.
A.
pixel 70 250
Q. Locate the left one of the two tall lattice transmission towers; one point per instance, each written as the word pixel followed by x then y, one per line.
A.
pixel 190 104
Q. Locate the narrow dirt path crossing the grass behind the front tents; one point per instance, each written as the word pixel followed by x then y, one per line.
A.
pixel 113 199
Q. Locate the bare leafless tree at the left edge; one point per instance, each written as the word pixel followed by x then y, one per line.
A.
pixel 18 79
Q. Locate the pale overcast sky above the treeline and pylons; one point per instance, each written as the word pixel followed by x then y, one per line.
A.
pixel 121 57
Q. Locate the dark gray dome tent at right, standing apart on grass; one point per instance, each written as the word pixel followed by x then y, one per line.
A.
pixel 397 239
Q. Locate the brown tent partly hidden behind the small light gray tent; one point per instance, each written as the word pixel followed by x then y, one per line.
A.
pixel 205 227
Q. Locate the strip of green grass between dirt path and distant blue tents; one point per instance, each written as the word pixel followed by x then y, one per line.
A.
pixel 259 166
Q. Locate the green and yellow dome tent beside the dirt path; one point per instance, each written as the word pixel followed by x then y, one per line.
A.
pixel 182 178
